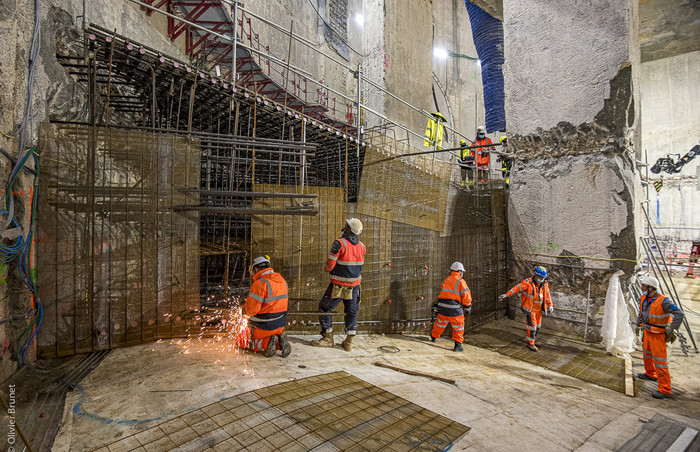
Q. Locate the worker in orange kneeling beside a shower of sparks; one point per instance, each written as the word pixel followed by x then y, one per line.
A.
pixel 266 305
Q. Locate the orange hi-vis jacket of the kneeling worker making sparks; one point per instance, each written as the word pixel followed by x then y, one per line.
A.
pixel 267 300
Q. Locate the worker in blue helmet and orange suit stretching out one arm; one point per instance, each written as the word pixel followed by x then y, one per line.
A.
pixel 535 301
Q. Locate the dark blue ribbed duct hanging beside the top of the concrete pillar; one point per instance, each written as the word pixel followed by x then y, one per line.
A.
pixel 488 39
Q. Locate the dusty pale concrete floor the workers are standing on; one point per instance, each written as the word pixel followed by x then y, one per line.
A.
pixel 508 403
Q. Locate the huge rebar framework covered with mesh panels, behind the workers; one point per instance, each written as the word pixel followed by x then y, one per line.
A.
pixel 263 177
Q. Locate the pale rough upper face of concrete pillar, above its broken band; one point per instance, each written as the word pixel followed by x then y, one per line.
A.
pixel 560 61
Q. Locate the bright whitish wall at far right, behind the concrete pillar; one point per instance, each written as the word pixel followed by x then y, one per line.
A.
pixel 671 125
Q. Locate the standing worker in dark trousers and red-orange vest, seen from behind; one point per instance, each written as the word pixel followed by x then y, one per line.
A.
pixel 344 264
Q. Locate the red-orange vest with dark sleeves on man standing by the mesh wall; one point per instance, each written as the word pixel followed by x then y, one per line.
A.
pixel 345 260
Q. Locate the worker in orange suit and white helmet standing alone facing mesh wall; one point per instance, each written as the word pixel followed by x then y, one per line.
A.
pixel 454 293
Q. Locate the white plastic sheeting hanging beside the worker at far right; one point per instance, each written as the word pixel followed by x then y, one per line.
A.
pixel 618 336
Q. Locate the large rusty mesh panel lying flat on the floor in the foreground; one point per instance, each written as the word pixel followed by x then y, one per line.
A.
pixel 331 412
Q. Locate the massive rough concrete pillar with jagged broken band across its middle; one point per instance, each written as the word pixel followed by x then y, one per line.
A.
pixel 571 102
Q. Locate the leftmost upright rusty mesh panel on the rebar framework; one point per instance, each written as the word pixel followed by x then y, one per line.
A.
pixel 115 260
